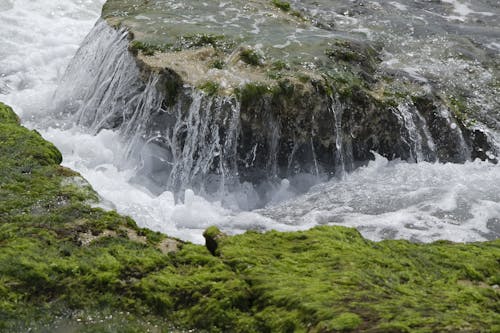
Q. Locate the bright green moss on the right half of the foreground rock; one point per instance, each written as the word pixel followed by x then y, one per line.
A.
pixel 338 281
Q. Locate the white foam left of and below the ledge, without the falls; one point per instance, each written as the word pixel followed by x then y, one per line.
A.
pixel 422 202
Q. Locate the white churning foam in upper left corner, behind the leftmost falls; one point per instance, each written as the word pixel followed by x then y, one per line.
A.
pixel 38 40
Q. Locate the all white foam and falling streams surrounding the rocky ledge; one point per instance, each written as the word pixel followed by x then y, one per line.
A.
pixel 104 90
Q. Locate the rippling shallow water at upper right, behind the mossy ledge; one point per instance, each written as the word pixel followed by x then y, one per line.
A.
pixel 451 45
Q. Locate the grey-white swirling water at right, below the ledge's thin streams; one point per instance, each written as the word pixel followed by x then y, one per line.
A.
pixel 424 201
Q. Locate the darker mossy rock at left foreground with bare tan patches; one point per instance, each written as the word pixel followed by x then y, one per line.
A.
pixel 58 255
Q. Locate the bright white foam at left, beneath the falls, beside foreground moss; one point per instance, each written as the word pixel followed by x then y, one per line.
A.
pixel 95 158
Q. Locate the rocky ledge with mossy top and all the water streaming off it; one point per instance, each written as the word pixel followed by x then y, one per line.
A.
pixel 255 90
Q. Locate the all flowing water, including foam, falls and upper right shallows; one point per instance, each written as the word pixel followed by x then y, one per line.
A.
pixel 385 199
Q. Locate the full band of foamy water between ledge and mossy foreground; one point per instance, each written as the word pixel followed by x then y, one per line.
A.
pixel 423 202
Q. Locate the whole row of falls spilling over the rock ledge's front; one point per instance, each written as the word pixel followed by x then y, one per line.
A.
pixel 196 142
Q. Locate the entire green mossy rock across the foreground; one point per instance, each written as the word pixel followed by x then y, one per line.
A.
pixel 65 266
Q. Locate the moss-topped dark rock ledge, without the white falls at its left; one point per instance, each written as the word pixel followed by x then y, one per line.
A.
pixel 310 100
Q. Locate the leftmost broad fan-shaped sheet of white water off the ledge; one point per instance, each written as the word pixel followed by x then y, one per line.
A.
pixel 100 88
